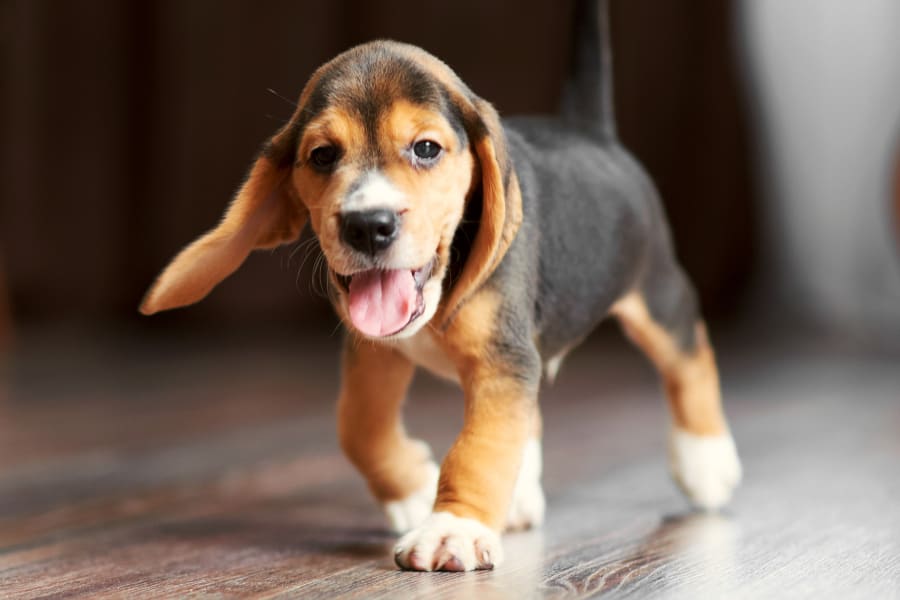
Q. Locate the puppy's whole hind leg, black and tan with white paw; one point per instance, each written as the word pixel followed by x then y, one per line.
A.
pixel 662 318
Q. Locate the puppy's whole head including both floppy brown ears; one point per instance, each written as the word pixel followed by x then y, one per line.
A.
pixel 386 152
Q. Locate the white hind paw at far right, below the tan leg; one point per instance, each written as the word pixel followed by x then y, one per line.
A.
pixel 706 468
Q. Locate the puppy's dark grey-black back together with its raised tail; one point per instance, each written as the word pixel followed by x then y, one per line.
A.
pixel 592 216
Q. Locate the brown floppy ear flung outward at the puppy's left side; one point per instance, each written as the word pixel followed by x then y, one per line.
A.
pixel 264 214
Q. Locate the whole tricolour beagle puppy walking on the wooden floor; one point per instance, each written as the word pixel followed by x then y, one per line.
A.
pixel 483 251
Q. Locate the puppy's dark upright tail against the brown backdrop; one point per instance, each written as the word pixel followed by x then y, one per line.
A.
pixel 588 95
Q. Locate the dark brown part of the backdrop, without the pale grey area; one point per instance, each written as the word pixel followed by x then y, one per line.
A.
pixel 127 125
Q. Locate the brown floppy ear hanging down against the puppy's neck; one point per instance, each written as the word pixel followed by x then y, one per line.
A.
pixel 501 210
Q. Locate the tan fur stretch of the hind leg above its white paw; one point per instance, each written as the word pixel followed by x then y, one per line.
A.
pixel 691 380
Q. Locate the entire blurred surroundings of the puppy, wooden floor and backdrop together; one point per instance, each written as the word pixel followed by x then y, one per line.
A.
pixel 197 447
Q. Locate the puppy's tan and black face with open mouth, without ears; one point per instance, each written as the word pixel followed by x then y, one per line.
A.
pixel 384 168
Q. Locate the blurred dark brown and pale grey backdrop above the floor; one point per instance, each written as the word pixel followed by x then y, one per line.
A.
pixel 770 129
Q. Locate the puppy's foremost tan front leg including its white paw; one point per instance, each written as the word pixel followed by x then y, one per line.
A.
pixel 479 473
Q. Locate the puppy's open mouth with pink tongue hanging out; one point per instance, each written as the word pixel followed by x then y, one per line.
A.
pixel 383 302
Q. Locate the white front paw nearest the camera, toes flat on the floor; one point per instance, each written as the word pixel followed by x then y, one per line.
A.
pixel 445 542
